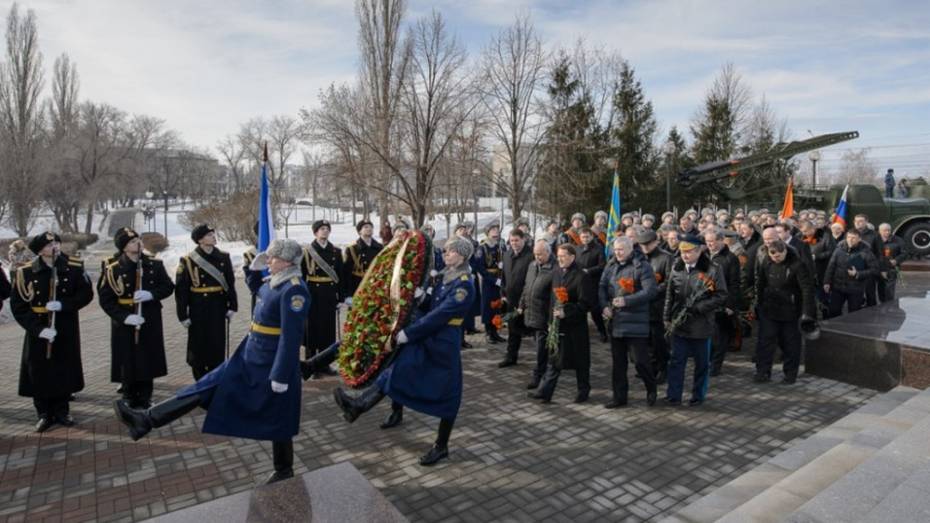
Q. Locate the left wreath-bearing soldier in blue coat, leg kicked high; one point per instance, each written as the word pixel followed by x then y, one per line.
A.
pixel 256 393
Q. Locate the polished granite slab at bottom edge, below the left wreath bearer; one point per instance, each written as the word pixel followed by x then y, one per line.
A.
pixel 338 493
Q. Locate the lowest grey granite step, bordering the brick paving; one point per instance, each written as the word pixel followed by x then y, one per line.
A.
pixel 741 490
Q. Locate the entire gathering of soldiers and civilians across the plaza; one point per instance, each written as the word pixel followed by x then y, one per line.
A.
pixel 659 292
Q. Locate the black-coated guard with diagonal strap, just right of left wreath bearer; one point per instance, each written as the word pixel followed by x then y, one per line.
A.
pixel 321 267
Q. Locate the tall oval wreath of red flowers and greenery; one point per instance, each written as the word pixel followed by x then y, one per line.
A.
pixel 382 306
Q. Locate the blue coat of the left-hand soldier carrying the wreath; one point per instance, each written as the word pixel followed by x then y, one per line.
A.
pixel 238 394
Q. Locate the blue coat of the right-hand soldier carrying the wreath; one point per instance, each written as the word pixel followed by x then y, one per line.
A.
pixel 426 375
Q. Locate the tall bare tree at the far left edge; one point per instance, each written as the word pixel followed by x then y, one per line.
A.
pixel 21 83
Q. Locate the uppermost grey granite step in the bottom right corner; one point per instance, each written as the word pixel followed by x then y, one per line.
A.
pixel 876 489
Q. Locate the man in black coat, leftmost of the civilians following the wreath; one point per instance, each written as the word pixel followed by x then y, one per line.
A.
pixel 517 260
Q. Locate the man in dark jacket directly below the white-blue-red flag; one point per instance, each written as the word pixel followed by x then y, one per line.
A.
pixel 849 271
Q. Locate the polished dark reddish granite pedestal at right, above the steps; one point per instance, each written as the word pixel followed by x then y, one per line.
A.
pixel 878 347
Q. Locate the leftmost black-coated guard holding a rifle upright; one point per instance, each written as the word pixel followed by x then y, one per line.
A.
pixel 47 295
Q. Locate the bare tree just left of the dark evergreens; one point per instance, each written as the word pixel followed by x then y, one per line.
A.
pixel 512 73
